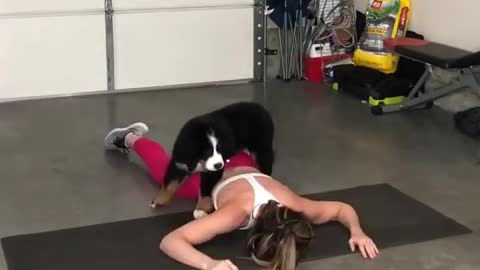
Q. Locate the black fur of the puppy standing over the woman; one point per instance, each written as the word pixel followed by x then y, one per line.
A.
pixel 239 126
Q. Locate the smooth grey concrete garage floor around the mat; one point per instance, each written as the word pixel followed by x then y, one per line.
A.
pixel 55 173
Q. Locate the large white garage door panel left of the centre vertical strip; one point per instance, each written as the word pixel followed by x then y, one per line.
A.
pixel 52 55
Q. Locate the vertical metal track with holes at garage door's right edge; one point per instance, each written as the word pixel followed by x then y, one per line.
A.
pixel 259 41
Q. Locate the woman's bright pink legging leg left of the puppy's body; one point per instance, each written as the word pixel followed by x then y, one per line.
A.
pixel 157 159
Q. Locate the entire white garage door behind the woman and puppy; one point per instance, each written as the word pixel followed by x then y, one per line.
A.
pixel 57 47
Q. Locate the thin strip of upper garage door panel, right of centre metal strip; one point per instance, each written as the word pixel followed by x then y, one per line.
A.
pixel 150 4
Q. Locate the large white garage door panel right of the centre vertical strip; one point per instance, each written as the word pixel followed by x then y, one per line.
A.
pixel 183 47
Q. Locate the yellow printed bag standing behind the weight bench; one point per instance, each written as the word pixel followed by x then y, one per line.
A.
pixel 385 19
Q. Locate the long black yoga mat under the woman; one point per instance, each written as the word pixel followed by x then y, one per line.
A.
pixel 390 217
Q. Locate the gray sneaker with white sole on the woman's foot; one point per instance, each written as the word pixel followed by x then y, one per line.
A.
pixel 115 139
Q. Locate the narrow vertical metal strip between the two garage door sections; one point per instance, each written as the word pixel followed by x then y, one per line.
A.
pixel 109 45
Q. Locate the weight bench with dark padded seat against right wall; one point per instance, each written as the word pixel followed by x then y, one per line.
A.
pixel 431 54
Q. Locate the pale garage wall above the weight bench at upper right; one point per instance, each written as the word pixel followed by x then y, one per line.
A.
pixel 451 22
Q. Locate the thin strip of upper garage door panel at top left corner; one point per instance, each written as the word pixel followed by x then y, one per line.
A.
pixel 28 6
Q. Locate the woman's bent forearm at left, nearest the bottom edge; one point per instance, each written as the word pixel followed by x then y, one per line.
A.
pixel 184 252
